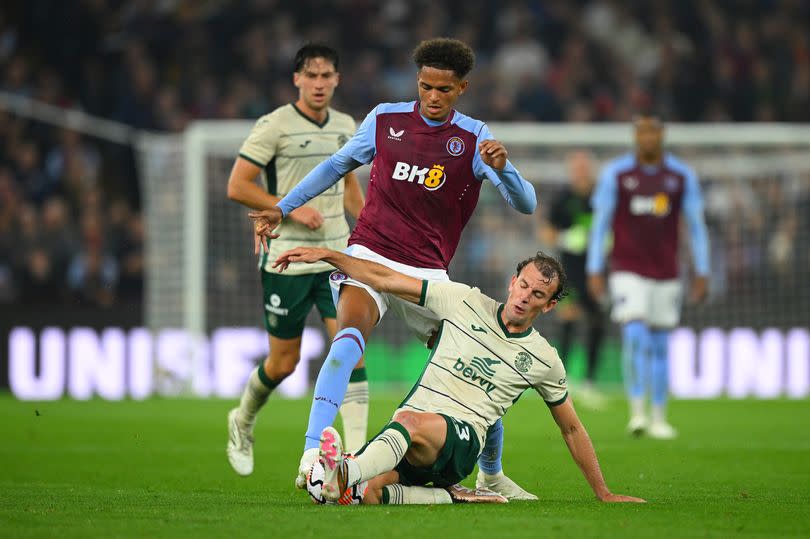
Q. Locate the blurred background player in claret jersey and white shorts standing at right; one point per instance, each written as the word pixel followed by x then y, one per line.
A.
pixel 641 196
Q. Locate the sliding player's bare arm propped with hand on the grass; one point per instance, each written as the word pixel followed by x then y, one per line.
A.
pixel 581 448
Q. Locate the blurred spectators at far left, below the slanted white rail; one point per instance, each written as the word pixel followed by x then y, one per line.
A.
pixel 63 236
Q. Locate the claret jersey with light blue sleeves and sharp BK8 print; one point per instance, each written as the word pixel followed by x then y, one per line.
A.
pixel 424 182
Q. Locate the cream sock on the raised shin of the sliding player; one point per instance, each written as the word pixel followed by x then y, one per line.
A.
pixel 381 455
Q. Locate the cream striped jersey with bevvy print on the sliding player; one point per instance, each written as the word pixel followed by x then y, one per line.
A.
pixel 477 368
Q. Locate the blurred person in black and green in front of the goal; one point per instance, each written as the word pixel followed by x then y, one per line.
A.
pixel 568 227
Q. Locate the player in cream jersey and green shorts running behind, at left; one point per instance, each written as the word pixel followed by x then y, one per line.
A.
pixel 285 145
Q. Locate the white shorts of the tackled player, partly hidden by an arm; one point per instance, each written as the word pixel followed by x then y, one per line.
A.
pixel 419 319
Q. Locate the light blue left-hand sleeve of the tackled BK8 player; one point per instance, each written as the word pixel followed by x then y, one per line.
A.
pixel 359 150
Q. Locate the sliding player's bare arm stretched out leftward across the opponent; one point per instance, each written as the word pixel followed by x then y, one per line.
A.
pixel 377 276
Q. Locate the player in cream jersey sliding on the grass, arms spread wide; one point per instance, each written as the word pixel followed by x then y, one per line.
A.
pixel 485 356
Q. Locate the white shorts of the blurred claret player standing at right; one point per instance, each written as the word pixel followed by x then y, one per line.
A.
pixel 653 301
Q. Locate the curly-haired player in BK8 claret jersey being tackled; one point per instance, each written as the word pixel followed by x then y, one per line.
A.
pixel 428 163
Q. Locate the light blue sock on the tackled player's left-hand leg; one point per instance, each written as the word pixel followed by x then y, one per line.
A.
pixel 346 350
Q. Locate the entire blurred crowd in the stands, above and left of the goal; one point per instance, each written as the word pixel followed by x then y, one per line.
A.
pixel 70 223
